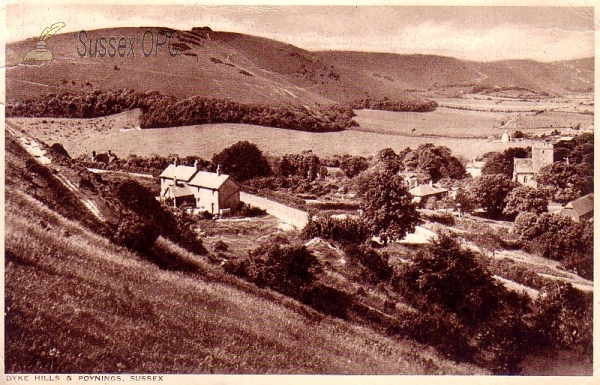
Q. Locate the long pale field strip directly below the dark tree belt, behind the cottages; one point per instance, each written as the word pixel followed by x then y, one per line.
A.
pixel 82 136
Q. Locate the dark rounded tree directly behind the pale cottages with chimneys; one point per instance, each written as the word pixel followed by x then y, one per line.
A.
pixel 242 161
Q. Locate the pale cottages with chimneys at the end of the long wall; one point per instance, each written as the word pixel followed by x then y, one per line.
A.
pixel 215 193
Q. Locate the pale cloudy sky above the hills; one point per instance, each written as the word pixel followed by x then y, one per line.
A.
pixel 471 33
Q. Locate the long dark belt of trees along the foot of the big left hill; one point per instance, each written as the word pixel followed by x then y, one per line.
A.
pixel 160 110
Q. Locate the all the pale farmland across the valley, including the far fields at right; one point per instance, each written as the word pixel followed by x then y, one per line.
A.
pixel 465 131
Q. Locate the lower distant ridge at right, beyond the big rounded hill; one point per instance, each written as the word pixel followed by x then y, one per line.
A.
pixel 425 72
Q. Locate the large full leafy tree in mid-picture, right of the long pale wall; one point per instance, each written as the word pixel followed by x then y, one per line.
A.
pixel 388 210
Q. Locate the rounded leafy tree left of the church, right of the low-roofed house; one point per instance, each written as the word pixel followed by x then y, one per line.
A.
pixel 491 191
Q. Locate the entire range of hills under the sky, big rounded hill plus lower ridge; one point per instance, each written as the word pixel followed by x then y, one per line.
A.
pixel 250 69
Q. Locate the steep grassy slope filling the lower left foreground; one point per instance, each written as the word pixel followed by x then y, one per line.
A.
pixel 76 302
